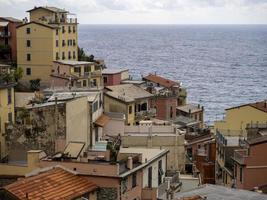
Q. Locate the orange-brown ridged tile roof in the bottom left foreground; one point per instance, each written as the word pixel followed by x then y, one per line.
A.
pixel 55 183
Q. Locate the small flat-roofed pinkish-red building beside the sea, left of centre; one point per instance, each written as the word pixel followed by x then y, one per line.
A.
pixel 114 76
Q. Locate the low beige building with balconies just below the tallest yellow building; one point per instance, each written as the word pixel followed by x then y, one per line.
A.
pixel 70 73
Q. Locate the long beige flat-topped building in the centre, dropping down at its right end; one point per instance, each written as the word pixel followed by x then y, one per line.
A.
pixel 161 137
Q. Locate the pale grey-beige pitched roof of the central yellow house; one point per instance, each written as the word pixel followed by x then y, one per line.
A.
pixel 127 92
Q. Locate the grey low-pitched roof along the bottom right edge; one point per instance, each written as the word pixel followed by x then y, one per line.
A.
pixel 216 192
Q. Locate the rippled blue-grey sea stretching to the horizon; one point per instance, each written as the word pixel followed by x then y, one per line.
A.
pixel 220 65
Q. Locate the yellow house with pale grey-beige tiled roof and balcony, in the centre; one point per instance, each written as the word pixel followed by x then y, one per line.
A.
pixel 130 100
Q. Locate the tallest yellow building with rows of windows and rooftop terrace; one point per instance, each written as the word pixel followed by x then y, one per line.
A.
pixel 50 35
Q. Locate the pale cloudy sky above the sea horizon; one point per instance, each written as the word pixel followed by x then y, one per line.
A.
pixel 150 11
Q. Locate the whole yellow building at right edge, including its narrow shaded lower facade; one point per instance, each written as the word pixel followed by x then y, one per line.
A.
pixel 230 133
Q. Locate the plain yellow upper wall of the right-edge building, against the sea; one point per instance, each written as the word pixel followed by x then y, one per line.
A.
pixel 237 118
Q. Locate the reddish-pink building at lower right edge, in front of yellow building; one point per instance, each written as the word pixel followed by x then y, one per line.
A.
pixel 250 164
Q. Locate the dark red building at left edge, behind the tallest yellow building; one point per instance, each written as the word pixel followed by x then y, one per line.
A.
pixel 8 36
